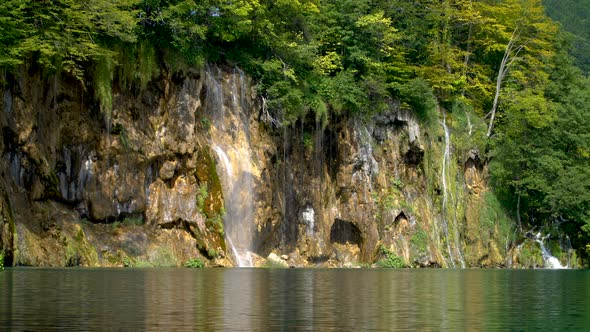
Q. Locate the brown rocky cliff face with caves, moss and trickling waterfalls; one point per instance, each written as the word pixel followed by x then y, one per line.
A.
pixel 189 168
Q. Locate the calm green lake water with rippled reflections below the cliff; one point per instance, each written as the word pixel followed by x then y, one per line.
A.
pixel 293 299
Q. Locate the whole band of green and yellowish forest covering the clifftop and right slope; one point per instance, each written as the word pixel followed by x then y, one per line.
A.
pixel 504 65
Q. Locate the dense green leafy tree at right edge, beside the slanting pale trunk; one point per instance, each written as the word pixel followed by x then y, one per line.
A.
pixel 541 161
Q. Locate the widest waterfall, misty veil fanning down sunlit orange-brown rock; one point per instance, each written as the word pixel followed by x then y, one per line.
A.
pixel 231 143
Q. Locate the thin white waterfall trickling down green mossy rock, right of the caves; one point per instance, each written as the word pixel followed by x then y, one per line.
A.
pixel 445 175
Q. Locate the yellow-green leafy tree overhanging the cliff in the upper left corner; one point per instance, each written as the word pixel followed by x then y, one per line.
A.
pixel 63 34
